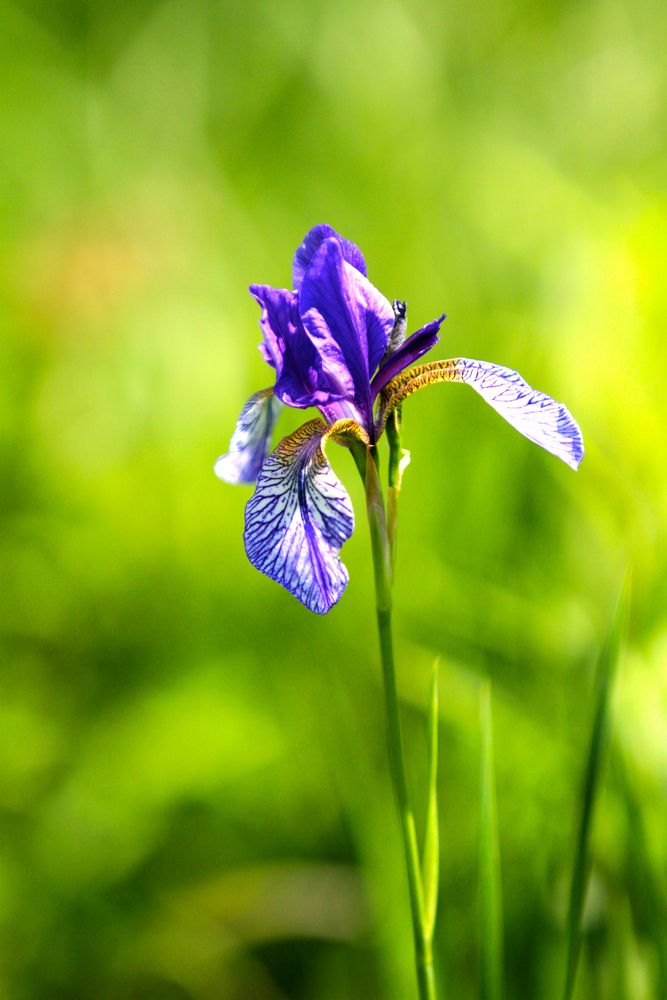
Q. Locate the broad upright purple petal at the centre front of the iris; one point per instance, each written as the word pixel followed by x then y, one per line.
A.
pixel 348 321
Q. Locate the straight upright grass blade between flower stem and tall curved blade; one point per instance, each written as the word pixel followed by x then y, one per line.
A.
pixel 491 913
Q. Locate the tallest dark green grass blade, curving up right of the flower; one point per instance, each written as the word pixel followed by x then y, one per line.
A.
pixel 592 775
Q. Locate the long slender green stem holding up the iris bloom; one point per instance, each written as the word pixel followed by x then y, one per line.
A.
pixel 382 565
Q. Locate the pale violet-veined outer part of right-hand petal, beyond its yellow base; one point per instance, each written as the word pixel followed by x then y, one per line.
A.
pixel 534 414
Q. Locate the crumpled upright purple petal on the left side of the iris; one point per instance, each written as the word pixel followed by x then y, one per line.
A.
pixel 300 380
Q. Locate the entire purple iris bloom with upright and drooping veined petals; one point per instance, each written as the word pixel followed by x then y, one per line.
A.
pixel 337 344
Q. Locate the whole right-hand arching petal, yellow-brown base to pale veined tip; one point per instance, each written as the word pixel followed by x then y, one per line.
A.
pixel 534 414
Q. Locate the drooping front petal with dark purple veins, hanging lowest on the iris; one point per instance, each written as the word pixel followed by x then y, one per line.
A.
pixel 300 515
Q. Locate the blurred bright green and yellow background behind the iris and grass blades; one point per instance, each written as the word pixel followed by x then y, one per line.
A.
pixel 194 800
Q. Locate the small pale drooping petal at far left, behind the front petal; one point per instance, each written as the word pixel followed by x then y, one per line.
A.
pixel 251 439
